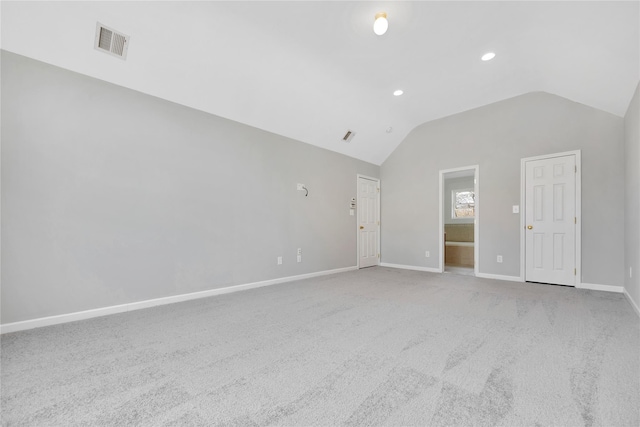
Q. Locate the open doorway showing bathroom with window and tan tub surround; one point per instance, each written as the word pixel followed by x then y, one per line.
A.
pixel 459 219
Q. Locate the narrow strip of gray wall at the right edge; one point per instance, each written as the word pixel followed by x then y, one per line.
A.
pixel 632 197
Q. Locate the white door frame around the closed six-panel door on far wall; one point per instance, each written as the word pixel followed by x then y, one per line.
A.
pixel 578 242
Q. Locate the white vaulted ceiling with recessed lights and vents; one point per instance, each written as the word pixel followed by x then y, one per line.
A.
pixel 312 70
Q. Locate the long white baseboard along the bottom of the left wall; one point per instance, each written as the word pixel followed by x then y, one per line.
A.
pixel 104 311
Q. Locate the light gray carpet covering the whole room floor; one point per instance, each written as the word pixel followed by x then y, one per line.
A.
pixel 372 347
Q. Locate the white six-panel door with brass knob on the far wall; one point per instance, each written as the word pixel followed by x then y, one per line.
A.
pixel 550 220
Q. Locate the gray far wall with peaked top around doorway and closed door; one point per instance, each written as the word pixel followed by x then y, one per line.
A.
pixel 496 137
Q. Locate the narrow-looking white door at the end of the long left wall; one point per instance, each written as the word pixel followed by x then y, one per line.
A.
pixel 368 221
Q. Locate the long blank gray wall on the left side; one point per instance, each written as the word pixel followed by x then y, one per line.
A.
pixel 110 196
